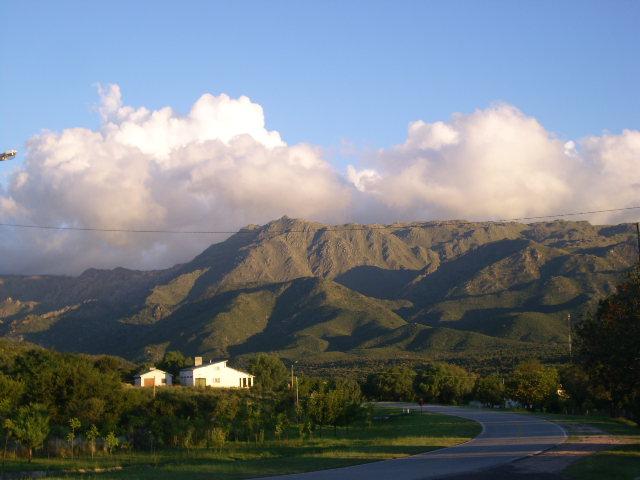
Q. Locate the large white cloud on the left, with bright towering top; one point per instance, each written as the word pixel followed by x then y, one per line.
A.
pixel 216 168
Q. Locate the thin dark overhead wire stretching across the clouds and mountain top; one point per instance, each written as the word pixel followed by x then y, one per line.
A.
pixel 331 229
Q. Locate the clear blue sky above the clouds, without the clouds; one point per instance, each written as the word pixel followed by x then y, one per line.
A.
pixel 325 72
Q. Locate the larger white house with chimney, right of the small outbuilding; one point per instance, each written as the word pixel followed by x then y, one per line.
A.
pixel 216 375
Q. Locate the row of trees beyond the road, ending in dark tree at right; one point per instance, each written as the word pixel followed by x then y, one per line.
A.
pixel 603 376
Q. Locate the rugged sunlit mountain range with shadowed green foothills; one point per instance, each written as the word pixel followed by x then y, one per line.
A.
pixel 318 293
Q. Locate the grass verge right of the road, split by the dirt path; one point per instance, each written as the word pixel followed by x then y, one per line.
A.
pixel 619 462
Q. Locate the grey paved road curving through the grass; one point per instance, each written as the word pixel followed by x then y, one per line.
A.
pixel 505 437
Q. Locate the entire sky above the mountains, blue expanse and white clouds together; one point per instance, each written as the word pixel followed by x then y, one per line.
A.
pixel 346 76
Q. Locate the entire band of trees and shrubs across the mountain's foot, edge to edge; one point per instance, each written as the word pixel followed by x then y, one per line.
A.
pixel 70 404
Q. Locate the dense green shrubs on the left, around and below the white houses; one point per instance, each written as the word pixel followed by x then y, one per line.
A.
pixel 73 405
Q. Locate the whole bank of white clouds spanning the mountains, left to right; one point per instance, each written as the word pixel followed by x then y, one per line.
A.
pixel 219 168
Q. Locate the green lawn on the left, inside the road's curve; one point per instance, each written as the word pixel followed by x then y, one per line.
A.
pixel 398 436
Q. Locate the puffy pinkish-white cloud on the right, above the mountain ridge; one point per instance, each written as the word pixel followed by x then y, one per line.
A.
pixel 499 163
